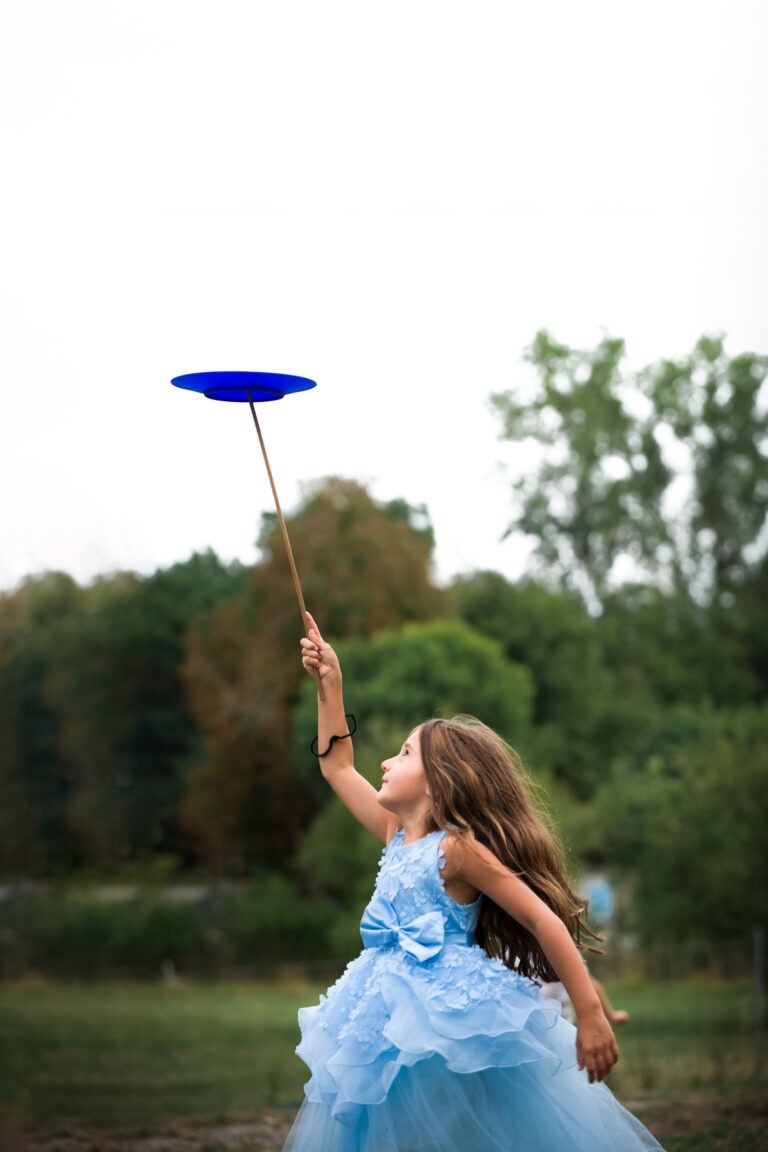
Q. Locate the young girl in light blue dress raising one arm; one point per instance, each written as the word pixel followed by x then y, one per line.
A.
pixel 436 1039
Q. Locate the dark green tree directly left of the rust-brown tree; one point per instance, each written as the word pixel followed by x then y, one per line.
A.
pixel 126 730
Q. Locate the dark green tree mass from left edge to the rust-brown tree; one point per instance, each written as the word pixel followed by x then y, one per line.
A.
pixel 100 731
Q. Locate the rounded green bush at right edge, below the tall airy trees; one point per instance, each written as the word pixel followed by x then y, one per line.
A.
pixel 688 815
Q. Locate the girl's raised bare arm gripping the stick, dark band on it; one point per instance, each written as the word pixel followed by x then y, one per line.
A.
pixel 338 762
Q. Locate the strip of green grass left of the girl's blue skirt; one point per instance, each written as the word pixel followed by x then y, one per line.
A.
pixel 112 1055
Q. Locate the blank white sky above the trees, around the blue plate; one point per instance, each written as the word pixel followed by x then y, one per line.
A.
pixel 389 199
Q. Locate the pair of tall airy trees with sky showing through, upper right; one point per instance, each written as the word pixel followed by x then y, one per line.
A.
pixel 661 473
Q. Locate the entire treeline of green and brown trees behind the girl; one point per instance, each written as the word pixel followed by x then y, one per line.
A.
pixel 162 724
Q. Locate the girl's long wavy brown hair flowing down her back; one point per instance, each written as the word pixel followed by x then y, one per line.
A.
pixel 481 790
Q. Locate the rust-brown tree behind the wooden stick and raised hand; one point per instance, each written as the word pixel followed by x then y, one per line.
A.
pixel 363 566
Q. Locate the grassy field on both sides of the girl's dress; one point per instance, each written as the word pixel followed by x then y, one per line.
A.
pixel 204 1067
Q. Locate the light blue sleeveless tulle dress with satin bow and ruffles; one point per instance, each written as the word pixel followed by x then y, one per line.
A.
pixel 425 1044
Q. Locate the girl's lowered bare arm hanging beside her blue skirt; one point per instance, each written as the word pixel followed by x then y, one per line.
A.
pixel 596 1044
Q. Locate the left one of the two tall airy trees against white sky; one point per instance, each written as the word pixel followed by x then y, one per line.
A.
pixel 579 505
